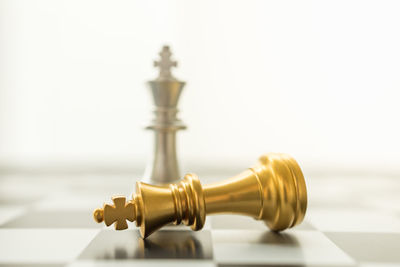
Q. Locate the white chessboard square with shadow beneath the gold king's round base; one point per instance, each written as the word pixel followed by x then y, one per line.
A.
pixel 258 247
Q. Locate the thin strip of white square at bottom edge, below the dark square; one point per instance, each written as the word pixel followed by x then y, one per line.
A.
pixel 143 263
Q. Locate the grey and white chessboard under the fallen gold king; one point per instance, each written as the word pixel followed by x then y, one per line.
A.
pixel 46 220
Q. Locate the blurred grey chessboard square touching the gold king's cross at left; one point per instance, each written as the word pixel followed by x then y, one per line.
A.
pixel 53 219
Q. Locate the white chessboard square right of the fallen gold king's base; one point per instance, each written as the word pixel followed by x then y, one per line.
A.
pixel 354 220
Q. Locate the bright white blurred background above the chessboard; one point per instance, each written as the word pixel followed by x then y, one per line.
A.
pixel 316 79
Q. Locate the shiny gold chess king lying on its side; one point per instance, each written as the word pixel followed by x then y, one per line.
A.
pixel 273 191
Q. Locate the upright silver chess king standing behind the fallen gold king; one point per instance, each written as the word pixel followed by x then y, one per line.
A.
pixel 166 89
